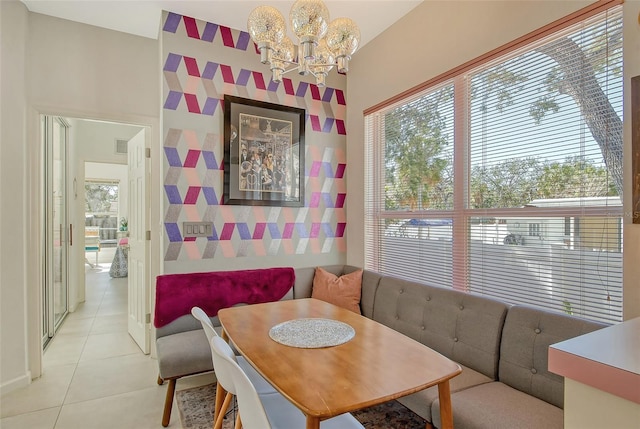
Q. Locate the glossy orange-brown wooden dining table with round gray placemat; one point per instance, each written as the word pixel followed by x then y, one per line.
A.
pixel 377 365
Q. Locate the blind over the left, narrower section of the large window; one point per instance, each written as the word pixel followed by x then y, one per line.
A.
pixel 410 189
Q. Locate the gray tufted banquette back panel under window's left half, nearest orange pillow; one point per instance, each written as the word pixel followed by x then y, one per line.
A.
pixel 461 326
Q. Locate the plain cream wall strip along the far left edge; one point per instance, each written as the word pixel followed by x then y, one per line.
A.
pixel 14 370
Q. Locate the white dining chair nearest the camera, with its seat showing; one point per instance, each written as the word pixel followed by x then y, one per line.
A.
pixel 271 411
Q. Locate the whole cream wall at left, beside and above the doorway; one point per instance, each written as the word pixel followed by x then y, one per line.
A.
pixel 54 66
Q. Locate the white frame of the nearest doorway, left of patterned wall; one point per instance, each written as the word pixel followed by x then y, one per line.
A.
pixel 36 212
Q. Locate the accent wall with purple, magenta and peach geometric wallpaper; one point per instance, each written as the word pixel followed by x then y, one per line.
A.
pixel 202 62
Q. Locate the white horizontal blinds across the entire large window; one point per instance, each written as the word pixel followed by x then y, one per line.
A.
pixel 506 179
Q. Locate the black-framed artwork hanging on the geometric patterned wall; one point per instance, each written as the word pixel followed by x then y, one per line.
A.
pixel 263 152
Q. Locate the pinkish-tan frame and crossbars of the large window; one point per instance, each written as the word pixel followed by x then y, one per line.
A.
pixel 461 211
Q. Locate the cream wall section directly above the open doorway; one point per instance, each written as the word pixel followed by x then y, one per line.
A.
pixel 77 67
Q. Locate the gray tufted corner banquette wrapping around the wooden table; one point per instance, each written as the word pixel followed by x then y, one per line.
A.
pixel 502 349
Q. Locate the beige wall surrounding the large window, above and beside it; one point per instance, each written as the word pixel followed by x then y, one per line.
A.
pixel 436 37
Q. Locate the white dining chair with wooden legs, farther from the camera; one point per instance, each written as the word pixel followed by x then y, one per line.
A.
pixel 261 384
